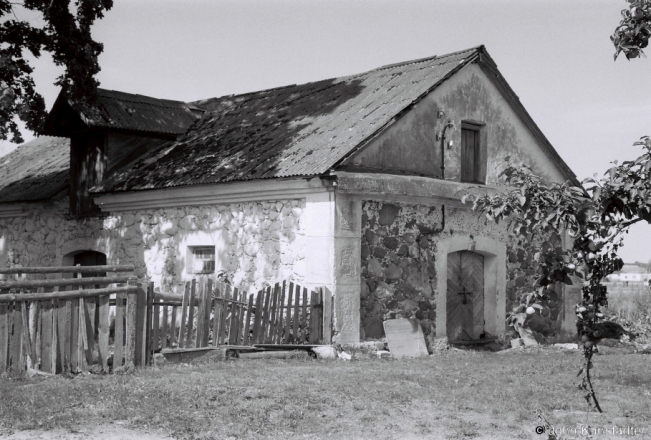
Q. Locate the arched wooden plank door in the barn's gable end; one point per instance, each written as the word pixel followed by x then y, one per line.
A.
pixel 465 296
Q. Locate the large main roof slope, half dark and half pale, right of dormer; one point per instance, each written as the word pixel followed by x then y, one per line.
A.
pixel 289 131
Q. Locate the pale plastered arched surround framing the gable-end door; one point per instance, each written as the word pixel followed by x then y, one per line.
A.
pixel 494 253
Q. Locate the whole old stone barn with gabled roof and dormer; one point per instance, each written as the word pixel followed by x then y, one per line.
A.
pixel 353 183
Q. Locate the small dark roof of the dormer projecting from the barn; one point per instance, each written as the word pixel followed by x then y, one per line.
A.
pixel 137 112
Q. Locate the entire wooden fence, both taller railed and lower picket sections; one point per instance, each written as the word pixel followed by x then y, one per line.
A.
pixel 63 325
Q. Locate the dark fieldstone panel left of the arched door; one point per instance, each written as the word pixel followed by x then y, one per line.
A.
pixel 398 270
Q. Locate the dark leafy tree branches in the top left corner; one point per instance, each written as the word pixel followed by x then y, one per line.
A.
pixel 66 35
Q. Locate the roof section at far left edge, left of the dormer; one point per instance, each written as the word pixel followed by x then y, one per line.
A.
pixel 36 170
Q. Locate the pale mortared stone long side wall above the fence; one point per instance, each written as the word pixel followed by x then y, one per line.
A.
pixel 256 243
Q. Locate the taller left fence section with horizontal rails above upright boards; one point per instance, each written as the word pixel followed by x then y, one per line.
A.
pixel 59 325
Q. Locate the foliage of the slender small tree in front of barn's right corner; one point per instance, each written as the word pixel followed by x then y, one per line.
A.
pixel 595 217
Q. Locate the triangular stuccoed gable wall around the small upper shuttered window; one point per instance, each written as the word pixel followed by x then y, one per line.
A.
pixel 410 145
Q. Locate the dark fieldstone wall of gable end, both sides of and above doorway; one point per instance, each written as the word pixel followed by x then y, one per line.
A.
pixel 399 276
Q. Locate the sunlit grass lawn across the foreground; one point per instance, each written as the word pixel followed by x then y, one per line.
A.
pixel 459 394
